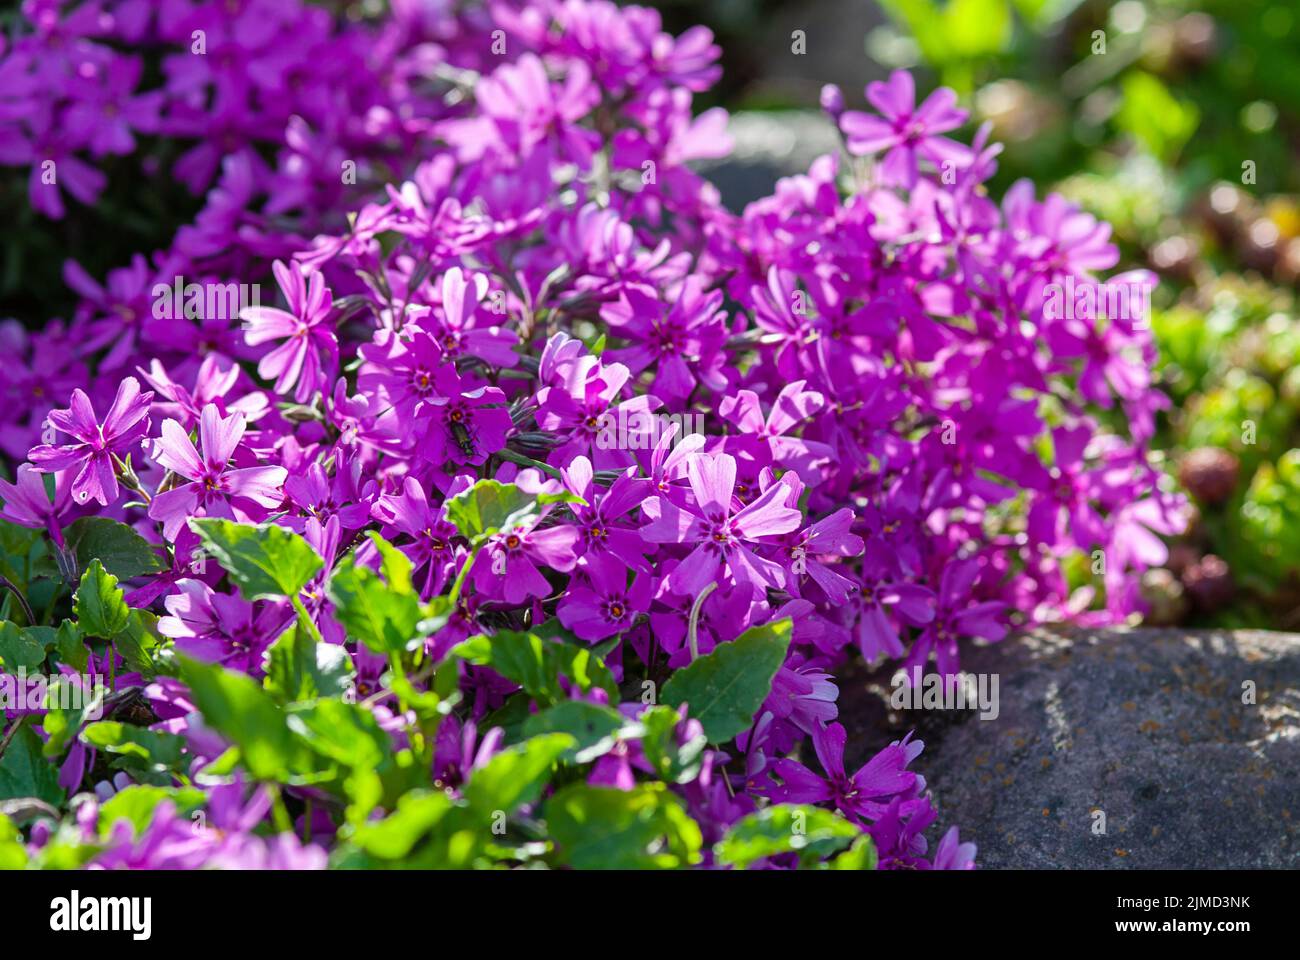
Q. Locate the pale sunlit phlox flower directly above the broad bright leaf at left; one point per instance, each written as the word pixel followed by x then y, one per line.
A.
pixel 214 481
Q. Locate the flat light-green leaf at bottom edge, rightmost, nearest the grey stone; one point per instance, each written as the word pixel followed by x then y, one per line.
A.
pixel 803 829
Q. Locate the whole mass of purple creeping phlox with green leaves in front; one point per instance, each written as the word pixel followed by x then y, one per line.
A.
pixel 531 518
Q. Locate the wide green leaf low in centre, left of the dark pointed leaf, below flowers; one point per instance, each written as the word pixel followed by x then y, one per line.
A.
pixel 534 663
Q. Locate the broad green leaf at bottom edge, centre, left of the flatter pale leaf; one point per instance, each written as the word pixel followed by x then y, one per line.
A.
pixel 610 829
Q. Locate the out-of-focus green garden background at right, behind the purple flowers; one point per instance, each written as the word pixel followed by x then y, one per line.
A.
pixel 1176 120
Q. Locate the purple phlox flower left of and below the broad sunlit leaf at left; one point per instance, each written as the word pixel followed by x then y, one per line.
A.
pixel 222 628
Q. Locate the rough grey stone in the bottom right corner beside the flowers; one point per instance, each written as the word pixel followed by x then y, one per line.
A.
pixel 1147 727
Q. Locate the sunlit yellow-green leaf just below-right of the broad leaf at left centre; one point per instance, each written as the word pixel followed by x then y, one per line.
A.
pixel 383 619
